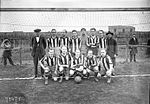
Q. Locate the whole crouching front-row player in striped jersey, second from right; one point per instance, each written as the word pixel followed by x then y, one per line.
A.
pixel 91 65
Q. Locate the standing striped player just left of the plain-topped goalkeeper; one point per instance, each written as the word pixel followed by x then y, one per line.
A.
pixel 75 42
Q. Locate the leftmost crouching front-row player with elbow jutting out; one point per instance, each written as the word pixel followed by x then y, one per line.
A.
pixel 49 64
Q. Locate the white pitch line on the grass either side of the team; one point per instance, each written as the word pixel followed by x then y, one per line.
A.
pixel 117 76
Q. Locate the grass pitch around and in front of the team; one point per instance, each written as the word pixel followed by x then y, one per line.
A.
pixel 122 90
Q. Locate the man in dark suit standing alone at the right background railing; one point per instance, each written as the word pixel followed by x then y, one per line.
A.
pixel 133 50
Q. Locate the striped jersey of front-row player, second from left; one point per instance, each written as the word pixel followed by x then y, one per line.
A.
pixel 64 60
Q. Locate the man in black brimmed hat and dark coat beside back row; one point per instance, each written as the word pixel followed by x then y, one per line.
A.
pixel 112 49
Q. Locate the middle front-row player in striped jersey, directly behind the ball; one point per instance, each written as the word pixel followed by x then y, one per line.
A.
pixel 77 64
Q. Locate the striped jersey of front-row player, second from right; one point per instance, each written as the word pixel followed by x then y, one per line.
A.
pixel 90 61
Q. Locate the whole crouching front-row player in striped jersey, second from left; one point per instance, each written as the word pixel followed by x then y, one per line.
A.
pixel 64 62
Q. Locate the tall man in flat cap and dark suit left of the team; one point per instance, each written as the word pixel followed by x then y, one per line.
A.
pixel 38 46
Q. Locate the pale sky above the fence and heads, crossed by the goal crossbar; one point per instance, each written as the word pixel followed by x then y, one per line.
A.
pixel 28 21
